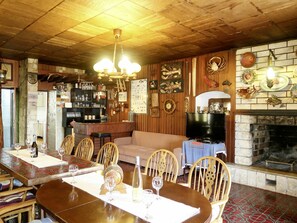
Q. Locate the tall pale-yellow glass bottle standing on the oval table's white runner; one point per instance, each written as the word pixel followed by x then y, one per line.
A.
pixel 137 185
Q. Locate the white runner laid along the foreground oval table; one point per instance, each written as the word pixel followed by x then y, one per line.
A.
pixel 162 210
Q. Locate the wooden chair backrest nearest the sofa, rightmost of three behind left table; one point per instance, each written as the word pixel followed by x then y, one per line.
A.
pixel 108 153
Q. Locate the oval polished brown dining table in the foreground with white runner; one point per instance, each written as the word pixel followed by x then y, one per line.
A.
pixel 67 202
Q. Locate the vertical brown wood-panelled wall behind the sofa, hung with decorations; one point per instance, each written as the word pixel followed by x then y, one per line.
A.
pixel 176 123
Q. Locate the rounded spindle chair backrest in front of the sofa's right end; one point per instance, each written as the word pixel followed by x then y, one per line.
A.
pixel 162 163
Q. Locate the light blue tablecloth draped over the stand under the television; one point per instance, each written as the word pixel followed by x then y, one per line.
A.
pixel 193 150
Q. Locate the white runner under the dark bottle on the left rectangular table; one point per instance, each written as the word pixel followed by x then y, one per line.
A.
pixel 41 161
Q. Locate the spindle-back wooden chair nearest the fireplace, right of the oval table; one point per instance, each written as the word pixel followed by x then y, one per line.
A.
pixel 211 177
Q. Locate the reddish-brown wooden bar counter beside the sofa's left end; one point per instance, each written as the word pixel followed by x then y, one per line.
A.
pixel 117 129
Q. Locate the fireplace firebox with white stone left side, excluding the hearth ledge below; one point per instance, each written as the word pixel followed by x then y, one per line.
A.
pixel 268 141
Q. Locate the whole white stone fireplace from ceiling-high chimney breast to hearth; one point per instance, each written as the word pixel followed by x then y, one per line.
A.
pixel 265 152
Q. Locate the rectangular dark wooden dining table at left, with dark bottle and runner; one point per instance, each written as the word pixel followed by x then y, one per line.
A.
pixel 44 168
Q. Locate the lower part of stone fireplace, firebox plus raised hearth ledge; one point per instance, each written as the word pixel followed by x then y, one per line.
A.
pixel 254 135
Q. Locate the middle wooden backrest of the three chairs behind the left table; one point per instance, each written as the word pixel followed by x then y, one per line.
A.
pixel 85 149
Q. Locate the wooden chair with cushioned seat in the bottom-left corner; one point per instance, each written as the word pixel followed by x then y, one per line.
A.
pixel 15 201
